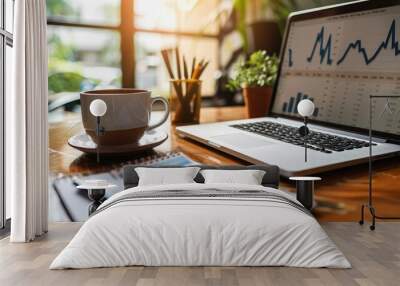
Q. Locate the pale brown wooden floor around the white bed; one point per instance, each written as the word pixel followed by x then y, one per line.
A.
pixel 375 257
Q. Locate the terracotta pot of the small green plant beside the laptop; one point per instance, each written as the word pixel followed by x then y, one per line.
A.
pixel 257 100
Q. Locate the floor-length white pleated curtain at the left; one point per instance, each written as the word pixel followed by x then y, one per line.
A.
pixel 26 124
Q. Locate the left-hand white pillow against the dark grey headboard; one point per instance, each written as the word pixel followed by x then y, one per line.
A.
pixel 166 176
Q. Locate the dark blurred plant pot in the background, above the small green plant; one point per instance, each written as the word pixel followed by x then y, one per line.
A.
pixel 264 35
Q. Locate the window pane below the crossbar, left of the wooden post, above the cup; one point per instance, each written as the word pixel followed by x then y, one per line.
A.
pixel 82 58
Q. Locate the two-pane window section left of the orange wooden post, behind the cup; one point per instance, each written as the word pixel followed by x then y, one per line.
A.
pixel 84 49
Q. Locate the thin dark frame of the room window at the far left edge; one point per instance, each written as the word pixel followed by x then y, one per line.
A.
pixel 6 39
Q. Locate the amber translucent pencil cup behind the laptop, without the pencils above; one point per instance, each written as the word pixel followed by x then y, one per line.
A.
pixel 185 101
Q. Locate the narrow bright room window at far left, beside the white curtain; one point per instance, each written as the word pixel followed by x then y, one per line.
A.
pixel 6 42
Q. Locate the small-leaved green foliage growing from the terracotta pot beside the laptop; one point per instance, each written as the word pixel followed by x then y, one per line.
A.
pixel 259 70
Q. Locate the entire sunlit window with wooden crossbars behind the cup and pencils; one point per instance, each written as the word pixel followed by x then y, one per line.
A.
pixel 110 43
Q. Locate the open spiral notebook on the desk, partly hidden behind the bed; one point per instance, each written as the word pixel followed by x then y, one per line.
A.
pixel 75 202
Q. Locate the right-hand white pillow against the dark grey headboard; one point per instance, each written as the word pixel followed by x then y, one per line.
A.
pixel 248 177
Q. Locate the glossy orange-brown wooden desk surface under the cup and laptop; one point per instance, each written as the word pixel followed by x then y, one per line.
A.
pixel 340 193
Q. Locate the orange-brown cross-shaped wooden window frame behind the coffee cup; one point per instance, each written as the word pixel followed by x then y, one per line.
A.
pixel 127 31
